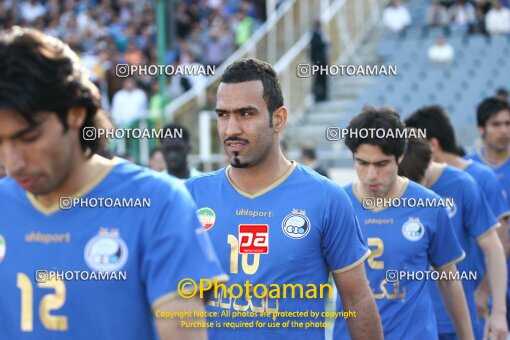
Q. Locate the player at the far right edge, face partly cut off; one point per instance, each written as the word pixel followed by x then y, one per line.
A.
pixel 493 120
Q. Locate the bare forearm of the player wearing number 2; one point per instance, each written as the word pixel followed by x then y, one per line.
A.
pixel 455 302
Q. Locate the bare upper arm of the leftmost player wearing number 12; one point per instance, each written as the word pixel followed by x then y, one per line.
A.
pixel 171 328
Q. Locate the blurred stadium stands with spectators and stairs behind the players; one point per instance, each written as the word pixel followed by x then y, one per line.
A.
pixel 451 53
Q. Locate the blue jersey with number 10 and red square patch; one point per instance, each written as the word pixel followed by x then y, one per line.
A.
pixel 307 228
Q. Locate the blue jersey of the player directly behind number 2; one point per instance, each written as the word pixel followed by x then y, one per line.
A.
pixel 472 218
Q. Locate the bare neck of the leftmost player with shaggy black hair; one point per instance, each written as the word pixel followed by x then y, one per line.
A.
pixel 82 171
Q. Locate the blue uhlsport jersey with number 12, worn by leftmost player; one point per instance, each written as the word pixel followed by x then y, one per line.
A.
pixel 140 252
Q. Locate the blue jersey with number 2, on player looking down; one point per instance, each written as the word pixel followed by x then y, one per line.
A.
pixel 404 239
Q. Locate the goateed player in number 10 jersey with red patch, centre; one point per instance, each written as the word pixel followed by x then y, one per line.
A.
pixel 275 222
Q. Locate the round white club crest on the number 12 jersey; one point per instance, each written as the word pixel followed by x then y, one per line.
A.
pixel 106 251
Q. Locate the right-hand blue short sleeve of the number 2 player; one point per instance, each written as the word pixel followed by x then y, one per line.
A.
pixel 444 248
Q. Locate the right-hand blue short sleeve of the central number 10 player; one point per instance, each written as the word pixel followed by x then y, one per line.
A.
pixel 343 246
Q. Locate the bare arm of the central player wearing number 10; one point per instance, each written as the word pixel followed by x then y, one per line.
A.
pixel 356 296
